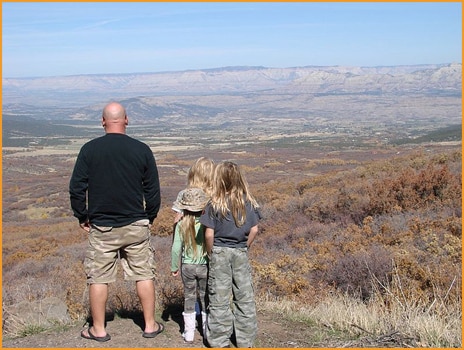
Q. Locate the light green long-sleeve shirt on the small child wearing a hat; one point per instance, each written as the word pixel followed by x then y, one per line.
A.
pixel 180 254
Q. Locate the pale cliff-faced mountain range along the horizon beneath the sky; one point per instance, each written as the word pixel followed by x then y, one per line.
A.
pixel 84 90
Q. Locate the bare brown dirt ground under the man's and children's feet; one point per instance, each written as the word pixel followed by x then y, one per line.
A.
pixel 274 332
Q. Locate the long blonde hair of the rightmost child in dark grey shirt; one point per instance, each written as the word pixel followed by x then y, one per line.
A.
pixel 230 192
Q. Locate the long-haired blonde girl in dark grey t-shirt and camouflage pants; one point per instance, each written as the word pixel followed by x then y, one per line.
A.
pixel 231 221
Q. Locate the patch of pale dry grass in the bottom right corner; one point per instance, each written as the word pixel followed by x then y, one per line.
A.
pixel 385 317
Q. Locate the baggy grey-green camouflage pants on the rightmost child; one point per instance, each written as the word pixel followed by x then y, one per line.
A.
pixel 230 276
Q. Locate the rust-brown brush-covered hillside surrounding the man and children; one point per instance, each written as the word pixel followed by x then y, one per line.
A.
pixel 376 226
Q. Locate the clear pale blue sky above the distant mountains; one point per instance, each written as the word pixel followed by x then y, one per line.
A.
pixel 66 38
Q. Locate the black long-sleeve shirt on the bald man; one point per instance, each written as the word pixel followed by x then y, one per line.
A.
pixel 115 182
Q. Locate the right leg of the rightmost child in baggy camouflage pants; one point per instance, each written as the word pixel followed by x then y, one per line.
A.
pixel 246 327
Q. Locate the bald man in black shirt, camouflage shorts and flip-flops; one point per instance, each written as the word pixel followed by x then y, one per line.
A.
pixel 118 178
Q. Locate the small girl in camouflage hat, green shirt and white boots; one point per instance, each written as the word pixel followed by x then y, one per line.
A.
pixel 189 248
